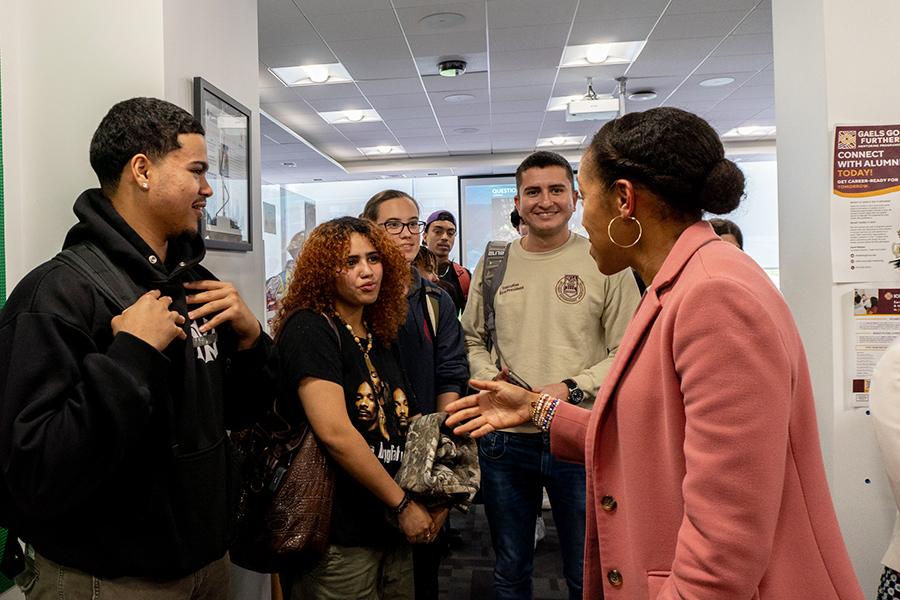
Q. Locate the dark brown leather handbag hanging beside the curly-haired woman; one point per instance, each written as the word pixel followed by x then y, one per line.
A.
pixel 284 513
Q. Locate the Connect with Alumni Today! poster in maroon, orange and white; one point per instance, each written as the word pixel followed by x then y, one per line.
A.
pixel 865 203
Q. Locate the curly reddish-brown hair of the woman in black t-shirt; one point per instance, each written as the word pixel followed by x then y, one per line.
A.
pixel 323 257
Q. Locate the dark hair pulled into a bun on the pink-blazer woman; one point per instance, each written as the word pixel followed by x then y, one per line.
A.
pixel 672 153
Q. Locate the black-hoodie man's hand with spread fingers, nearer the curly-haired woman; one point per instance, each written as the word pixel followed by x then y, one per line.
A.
pixel 221 299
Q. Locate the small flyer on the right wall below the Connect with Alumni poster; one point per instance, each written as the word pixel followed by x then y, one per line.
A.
pixel 876 323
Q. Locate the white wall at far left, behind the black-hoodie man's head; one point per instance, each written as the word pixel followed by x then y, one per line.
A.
pixel 54 95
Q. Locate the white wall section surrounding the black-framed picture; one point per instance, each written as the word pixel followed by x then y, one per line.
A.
pixel 217 40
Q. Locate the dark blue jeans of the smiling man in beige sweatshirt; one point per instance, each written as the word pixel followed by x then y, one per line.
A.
pixel 514 467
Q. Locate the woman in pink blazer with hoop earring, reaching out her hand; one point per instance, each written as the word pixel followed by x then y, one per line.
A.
pixel 705 476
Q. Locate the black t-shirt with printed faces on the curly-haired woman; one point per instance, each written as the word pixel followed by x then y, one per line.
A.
pixel 377 404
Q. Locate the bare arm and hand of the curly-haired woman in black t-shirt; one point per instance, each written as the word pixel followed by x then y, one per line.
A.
pixel 323 403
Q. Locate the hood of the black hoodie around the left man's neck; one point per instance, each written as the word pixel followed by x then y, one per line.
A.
pixel 99 223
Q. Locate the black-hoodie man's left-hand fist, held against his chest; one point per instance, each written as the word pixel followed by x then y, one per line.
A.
pixel 150 320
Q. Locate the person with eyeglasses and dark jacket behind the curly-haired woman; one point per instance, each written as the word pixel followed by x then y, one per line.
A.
pixel 432 348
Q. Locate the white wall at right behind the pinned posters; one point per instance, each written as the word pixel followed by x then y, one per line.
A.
pixel 831 67
